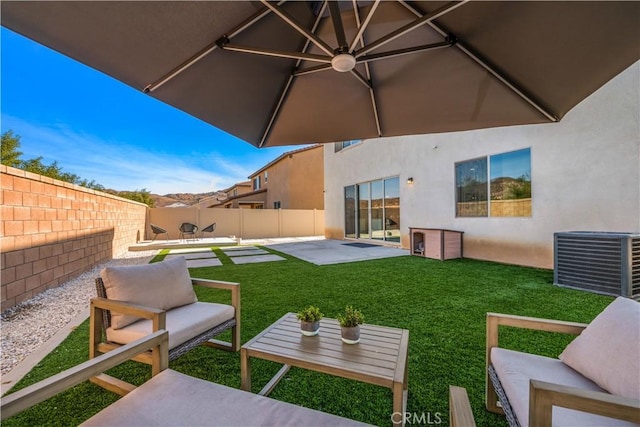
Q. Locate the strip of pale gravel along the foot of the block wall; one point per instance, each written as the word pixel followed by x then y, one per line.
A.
pixel 31 323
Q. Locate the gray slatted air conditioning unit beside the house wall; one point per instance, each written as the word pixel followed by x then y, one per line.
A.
pixel 602 262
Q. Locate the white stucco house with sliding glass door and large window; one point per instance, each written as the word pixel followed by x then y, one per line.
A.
pixel 508 189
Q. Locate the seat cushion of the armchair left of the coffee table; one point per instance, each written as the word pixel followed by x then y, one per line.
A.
pixel 183 323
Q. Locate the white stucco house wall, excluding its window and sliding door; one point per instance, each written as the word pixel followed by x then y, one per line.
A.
pixel 585 176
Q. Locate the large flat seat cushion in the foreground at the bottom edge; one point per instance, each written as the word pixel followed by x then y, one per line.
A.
pixel 174 399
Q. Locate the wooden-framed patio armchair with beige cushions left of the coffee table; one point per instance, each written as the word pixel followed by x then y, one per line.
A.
pixel 134 301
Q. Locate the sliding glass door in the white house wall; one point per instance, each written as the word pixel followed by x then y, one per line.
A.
pixel 372 210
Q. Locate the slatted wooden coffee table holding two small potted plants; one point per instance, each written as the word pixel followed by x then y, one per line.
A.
pixel 380 358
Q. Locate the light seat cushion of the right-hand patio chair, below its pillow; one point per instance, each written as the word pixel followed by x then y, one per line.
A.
pixel 515 370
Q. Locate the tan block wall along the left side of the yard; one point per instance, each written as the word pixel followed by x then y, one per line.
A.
pixel 52 231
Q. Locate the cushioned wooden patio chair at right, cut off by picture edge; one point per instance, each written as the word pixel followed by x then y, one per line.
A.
pixel 594 382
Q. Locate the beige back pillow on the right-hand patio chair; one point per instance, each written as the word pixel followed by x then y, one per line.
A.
pixel 608 350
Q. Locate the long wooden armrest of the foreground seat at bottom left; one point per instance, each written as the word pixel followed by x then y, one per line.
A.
pixel 36 393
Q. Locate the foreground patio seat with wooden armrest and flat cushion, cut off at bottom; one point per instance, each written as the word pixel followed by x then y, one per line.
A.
pixel 170 398
